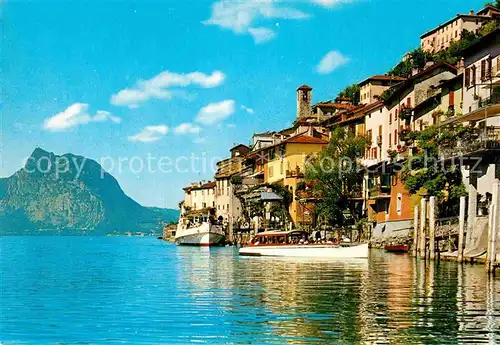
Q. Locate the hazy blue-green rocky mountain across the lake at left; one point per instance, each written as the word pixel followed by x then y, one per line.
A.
pixel 71 194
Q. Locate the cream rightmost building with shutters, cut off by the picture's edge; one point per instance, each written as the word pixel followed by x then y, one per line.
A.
pixel 479 153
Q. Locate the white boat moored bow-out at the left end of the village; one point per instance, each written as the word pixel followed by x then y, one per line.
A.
pixel 201 233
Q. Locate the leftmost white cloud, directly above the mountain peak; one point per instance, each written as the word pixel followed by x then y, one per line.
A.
pixel 75 115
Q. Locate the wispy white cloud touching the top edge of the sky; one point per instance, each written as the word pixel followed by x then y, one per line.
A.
pixel 239 16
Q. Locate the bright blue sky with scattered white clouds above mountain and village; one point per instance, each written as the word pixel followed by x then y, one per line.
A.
pixel 158 91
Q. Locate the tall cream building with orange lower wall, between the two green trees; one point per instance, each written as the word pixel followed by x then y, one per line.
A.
pixel 413 104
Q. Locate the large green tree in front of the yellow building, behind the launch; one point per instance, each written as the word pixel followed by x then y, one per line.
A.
pixel 334 173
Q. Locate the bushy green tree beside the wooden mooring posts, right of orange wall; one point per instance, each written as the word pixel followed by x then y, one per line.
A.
pixel 424 171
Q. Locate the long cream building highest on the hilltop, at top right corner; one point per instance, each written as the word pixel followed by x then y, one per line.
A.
pixel 444 34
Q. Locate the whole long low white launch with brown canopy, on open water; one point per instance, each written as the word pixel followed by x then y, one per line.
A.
pixel 292 244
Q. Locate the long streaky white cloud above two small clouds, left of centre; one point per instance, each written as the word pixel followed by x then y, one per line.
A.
pixel 159 87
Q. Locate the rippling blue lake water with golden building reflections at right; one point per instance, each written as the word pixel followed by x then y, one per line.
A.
pixel 145 291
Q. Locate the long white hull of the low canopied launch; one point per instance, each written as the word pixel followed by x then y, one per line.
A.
pixel 311 251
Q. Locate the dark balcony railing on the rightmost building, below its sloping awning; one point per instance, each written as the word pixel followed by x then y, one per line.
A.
pixel 485 139
